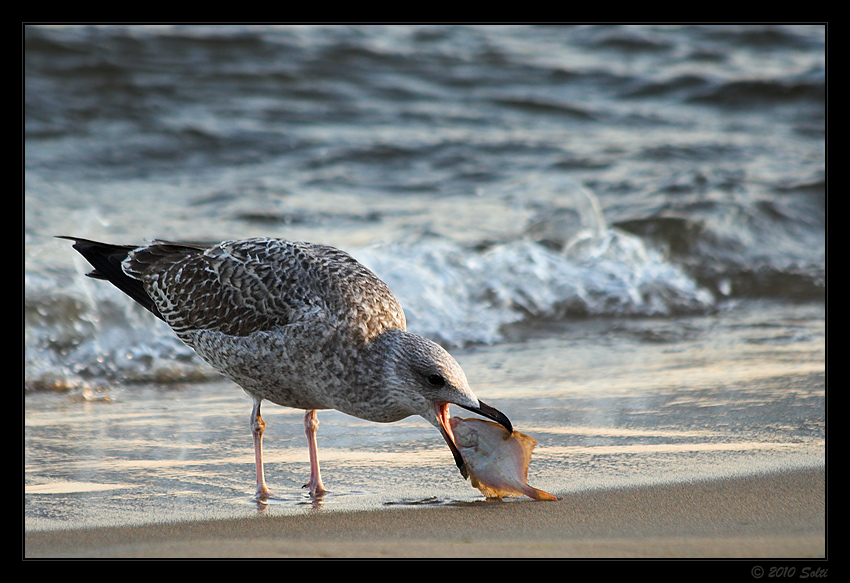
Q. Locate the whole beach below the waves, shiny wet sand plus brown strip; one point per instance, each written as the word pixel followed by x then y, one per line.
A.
pixel 721 456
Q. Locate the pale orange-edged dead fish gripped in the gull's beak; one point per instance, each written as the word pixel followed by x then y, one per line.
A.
pixel 497 461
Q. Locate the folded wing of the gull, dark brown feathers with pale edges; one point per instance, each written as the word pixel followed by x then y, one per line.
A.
pixel 241 287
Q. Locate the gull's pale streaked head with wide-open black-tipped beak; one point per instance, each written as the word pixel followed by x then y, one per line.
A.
pixel 431 380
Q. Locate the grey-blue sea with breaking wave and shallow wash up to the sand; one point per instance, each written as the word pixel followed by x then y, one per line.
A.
pixel 620 231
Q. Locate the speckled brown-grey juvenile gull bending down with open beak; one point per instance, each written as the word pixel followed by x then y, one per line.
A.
pixel 297 324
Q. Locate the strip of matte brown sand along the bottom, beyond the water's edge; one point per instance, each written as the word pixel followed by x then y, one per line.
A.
pixel 776 515
